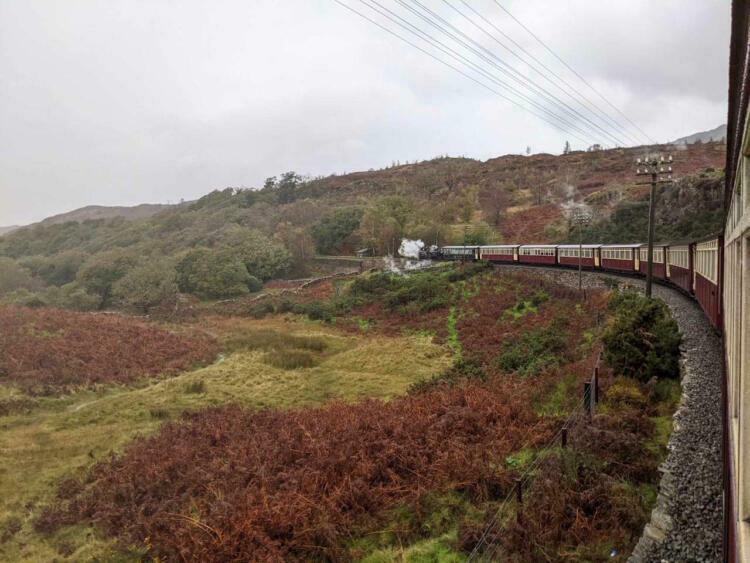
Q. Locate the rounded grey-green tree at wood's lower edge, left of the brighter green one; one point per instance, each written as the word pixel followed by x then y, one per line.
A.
pixel 147 285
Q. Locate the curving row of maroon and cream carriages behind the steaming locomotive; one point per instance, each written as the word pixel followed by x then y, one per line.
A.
pixel 693 266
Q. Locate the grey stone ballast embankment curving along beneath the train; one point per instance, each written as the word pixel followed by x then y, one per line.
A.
pixel 686 523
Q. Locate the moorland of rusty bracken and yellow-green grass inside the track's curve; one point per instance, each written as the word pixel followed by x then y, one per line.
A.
pixel 372 417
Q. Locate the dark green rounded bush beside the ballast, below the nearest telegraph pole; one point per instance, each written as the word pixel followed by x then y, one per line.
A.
pixel 643 340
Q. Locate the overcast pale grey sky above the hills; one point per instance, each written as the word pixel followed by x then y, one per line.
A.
pixel 124 102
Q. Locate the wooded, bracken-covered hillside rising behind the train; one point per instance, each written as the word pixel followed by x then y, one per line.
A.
pixel 229 242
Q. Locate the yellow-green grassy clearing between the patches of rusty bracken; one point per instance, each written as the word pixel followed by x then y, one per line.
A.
pixel 59 437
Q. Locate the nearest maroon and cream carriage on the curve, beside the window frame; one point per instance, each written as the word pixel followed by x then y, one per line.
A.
pixel 707 277
